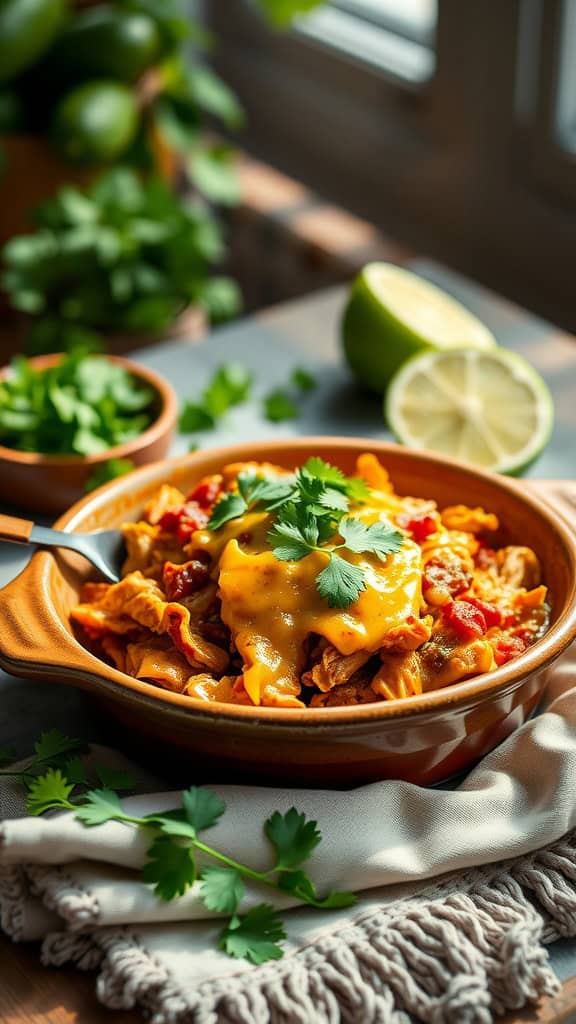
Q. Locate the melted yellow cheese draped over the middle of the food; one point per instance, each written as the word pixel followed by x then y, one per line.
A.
pixel 272 607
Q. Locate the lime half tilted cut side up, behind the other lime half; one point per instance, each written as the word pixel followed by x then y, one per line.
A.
pixel 392 315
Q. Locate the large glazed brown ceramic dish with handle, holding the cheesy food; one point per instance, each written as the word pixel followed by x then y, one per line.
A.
pixel 423 739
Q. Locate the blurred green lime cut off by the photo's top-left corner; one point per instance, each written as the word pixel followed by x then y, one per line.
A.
pixel 27 30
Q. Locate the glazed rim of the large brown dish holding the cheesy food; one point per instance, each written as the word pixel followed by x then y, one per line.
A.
pixel 78 664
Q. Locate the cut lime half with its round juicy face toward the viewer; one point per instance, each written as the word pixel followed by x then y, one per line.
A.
pixel 491 408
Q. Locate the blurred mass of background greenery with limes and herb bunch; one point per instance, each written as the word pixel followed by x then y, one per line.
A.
pixel 113 169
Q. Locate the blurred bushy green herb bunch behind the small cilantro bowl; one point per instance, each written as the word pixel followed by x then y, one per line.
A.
pixel 128 254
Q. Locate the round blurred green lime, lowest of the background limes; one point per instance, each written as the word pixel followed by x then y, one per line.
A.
pixel 96 122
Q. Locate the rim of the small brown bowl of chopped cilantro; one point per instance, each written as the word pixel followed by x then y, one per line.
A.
pixel 163 423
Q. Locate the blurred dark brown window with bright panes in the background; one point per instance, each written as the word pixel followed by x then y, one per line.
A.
pixel 450 125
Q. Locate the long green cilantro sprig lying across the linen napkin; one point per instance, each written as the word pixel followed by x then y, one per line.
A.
pixel 177 840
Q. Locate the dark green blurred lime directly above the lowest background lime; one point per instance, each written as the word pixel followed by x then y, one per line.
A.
pixel 110 42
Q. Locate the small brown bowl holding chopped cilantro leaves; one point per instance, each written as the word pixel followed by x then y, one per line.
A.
pixel 51 484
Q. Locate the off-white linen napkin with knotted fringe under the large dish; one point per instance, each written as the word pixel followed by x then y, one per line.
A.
pixel 460 952
